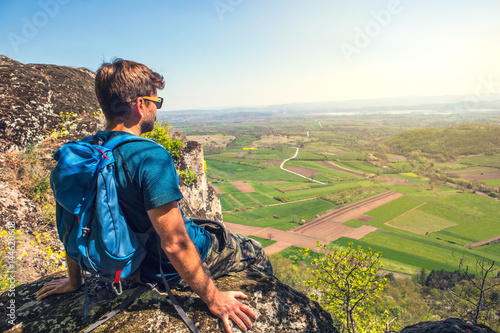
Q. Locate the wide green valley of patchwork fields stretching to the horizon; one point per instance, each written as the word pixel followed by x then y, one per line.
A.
pixel 422 199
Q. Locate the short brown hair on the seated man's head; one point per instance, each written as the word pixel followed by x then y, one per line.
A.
pixel 121 81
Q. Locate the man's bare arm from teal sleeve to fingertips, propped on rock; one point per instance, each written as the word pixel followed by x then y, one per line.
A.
pixel 175 242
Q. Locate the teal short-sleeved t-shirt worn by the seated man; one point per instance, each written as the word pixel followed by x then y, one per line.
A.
pixel 146 178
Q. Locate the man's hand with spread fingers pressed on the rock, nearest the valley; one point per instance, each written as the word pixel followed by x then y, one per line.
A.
pixel 227 307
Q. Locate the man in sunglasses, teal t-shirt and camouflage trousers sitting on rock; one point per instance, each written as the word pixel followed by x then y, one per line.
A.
pixel 148 191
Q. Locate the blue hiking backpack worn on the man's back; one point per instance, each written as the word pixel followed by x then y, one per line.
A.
pixel 90 222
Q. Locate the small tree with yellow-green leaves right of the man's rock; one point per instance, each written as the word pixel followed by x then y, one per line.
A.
pixel 348 285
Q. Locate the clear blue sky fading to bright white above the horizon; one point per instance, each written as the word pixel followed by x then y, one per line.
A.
pixel 217 53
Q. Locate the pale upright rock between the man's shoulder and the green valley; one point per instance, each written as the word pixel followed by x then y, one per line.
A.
pixel 200 199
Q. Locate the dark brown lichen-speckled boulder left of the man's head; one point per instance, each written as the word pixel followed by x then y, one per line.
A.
pixel 35 99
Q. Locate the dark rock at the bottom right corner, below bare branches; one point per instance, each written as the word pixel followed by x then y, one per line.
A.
pixel 449 325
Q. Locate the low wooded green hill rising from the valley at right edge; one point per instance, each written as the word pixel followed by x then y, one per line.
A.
pixel 452 141
